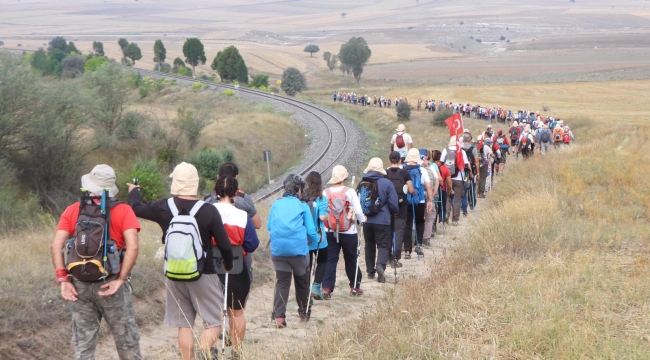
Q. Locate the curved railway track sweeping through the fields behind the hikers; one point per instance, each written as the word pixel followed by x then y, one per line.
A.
pixel 337 132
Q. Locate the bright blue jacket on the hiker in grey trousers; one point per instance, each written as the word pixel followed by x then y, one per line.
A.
pixel 290 225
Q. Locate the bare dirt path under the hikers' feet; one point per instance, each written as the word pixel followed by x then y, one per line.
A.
pixel 263 341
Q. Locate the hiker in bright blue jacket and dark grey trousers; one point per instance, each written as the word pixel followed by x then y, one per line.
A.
pixel 292 230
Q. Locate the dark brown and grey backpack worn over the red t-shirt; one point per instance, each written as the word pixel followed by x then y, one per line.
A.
pixel 85 250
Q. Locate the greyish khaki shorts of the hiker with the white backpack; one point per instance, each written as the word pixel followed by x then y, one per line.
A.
pixel 186 299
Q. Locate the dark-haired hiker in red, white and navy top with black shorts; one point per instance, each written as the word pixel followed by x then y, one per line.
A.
pixel 241 233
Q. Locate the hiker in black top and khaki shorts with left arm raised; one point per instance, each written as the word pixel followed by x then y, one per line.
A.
pixel 199 293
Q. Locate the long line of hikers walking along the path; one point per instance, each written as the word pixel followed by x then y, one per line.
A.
pixel 208 243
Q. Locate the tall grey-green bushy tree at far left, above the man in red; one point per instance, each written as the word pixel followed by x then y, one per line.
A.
pixel 109 83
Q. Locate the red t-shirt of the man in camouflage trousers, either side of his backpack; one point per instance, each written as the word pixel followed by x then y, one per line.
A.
pixel 122 218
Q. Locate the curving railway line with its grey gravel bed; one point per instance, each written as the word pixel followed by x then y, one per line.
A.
pixel 333 139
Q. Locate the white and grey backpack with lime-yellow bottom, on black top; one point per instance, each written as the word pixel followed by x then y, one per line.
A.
pixel 184 255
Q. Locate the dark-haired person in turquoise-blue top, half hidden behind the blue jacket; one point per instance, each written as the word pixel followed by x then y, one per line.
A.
pixel 313 196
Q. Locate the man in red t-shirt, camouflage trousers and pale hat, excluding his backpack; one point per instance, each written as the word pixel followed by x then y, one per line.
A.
pixel 108 298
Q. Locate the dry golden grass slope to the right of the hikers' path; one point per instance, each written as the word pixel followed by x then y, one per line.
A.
pixel 558 271
